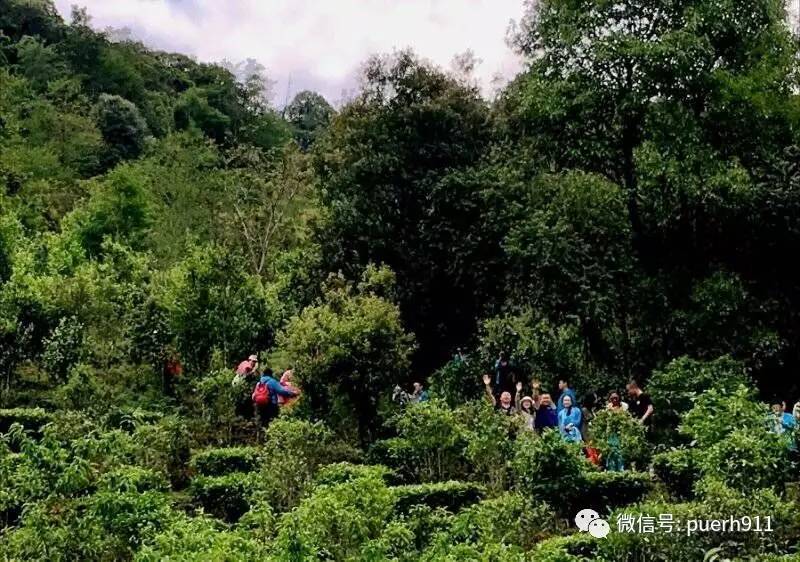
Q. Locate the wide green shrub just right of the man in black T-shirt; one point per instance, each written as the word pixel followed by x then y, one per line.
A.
pixel 675 387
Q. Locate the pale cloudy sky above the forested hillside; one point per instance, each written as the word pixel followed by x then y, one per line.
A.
pixel 318 44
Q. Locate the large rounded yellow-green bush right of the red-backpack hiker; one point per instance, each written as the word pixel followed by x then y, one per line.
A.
pixel 347 350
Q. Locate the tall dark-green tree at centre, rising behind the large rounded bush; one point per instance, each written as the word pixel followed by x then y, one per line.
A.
pixel 394 178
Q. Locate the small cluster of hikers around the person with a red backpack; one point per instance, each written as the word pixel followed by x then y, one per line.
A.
pixel 268 393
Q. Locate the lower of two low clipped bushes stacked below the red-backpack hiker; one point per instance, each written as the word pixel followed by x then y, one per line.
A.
pixel 227 497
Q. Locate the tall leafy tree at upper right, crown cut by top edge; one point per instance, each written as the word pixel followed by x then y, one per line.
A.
pixel 602 71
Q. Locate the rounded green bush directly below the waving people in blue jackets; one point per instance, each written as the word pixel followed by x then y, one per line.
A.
pixel 546 466
